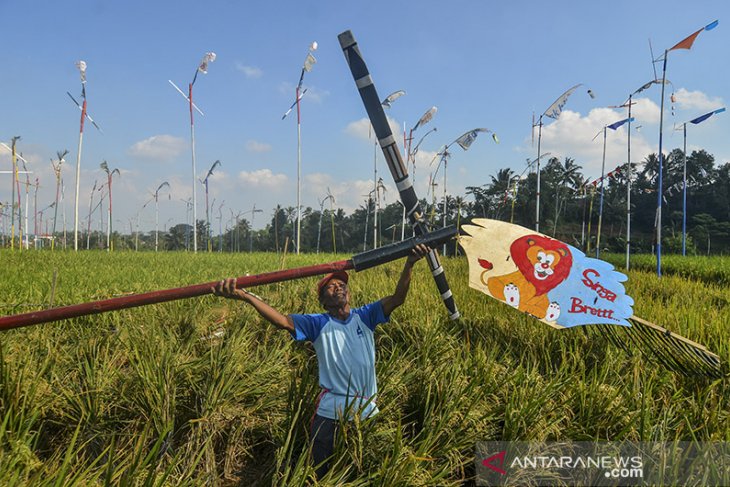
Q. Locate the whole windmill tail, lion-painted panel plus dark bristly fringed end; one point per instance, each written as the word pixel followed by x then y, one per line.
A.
pixel 557 284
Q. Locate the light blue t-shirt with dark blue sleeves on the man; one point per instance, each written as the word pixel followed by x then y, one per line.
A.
pixel 346 358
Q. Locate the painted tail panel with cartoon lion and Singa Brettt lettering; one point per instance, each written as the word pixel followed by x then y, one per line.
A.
pixel 543 277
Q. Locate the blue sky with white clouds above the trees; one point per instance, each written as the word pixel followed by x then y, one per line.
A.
pixel 481 63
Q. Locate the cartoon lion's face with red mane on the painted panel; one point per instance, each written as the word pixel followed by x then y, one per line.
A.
pixel 545 262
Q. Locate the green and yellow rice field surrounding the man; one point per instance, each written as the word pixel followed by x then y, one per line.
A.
pixel 203 392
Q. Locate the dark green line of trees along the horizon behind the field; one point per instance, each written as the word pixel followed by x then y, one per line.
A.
pixel 569 207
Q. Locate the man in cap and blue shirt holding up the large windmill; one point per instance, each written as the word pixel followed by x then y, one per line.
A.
pixel 343 339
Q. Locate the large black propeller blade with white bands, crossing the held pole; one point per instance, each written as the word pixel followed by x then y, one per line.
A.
pixel 398 170
